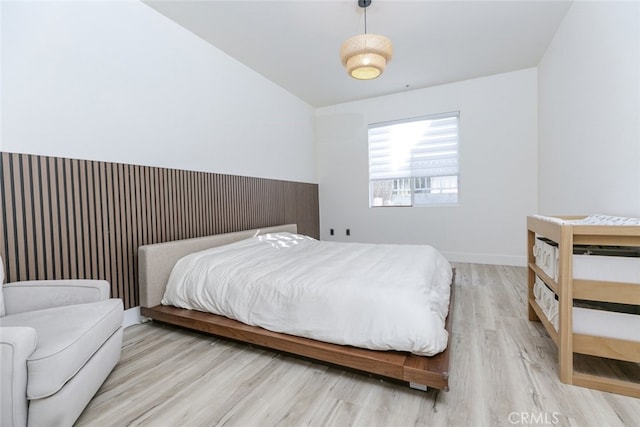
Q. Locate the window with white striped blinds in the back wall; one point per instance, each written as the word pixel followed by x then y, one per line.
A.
pixel 414 162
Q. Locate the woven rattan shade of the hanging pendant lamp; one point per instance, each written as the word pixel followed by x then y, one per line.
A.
pixel 365 56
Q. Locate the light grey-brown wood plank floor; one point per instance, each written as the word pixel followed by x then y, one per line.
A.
pixel 503 371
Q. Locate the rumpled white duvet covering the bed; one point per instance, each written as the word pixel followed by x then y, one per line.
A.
pixel 380 297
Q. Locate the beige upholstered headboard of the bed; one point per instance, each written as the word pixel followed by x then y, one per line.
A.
pixel 156 261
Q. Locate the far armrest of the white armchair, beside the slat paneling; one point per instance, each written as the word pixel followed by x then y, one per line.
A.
pixel 40 294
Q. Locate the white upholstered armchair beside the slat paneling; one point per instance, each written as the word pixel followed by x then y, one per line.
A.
pixel 59 340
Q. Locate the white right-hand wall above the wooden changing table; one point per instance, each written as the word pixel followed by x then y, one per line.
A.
pixel 589 112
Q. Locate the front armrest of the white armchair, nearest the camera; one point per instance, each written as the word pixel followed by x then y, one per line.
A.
pixel 16 345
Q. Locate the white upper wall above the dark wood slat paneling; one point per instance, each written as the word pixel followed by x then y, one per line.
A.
pixel 116 81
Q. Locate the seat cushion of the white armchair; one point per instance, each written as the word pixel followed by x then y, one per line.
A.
pixel 67 338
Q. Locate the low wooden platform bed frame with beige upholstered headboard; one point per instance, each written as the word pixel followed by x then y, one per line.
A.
pixel 156 262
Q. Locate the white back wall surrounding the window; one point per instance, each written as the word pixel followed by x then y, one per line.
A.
pixel 498 172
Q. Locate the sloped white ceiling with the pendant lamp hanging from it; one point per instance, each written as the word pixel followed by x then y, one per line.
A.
pixel 296 44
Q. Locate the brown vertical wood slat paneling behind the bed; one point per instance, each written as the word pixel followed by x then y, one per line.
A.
pixel 68 219
